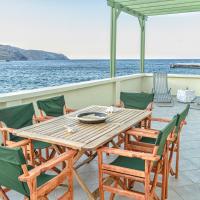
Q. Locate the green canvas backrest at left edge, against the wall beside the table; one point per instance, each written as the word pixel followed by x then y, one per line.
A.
pixel 17 116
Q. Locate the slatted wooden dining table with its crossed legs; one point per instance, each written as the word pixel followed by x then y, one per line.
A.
pixel 85 137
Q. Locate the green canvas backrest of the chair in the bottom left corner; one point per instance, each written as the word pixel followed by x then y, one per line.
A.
pixel 10 169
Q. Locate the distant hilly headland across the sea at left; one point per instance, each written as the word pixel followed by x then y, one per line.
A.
pixel 10 53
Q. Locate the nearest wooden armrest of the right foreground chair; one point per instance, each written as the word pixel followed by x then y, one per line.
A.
pixel 130 154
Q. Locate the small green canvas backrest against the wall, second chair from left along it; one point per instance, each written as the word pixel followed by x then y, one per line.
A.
pixel 52 106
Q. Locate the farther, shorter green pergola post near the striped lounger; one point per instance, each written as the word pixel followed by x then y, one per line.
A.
pixel 142 42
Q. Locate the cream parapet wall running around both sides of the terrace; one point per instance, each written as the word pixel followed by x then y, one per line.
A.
pixel 101 92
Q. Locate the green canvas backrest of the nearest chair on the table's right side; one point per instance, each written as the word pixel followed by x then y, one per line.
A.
pixel 164 133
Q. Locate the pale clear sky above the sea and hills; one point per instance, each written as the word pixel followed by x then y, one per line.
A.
pixel 80 29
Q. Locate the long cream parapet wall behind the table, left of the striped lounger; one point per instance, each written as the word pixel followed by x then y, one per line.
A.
pixel 77 95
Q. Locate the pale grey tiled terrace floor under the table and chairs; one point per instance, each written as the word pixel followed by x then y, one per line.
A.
pixel 187 187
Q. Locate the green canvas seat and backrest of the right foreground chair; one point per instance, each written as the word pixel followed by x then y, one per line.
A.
pixel 139 164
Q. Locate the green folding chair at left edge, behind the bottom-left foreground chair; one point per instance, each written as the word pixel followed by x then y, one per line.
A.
pixel 19 117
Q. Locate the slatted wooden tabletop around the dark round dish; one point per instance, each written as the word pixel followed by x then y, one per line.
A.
pixel 87 136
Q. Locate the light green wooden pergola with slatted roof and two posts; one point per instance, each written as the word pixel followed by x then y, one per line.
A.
pixel 142 9
